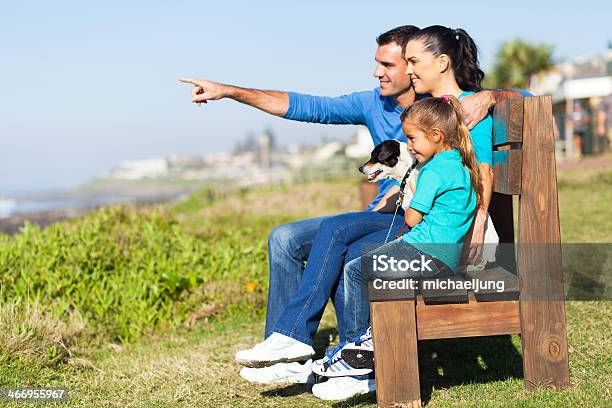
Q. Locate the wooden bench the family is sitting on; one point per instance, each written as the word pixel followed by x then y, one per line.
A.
pixel 524 165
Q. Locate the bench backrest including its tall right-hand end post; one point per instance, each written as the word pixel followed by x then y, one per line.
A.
pixel 524 165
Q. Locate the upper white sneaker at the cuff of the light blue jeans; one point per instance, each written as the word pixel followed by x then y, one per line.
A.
pixel 277 348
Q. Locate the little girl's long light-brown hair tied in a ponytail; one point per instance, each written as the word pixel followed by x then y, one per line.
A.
pixel 446 114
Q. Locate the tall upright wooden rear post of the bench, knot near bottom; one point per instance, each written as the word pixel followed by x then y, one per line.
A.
pixel 544 338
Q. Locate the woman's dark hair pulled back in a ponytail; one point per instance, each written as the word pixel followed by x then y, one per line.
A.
pixel 461 49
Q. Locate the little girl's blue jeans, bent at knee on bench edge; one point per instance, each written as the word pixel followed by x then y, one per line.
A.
pixel 357 273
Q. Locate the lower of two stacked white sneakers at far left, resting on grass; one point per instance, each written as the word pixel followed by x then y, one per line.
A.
pixel 293 373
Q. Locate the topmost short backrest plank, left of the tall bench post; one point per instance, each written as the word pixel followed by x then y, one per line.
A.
pixel 508 122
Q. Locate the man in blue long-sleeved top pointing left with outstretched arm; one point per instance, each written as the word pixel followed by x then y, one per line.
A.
pixel 289 245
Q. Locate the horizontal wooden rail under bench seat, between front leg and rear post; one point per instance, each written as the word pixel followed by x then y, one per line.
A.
pixel 467 319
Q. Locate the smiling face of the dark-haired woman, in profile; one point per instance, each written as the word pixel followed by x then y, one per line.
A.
pixel 422 67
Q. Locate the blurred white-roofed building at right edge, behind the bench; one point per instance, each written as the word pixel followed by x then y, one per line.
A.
pixel 577 87
